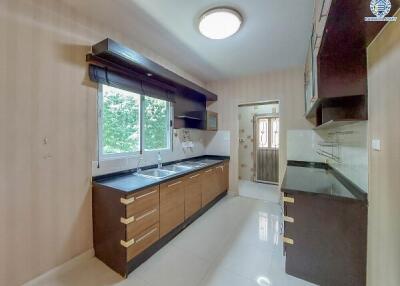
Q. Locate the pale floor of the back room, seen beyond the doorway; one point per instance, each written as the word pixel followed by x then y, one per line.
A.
pixel 265 192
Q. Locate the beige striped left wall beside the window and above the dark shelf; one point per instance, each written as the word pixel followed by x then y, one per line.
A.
pixel 45 197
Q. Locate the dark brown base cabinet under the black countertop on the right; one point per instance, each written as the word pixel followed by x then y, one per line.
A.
pixel 325 239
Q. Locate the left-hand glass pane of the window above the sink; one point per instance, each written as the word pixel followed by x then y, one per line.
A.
pixel 121 121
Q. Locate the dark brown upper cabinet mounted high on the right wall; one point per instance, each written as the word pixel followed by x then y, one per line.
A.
pixel 340 92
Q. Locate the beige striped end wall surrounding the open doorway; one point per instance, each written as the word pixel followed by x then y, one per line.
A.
pixel 287 86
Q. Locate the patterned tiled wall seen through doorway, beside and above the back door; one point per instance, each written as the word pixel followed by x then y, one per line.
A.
pixel 247 155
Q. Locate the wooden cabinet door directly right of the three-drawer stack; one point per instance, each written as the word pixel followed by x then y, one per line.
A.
pixel 172 205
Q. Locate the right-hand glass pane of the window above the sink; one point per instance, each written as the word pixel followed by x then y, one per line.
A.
pixel 156 124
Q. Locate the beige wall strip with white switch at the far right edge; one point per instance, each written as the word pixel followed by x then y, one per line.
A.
pixel 384 166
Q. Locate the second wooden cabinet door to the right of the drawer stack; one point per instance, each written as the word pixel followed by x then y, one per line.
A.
pixel 193 193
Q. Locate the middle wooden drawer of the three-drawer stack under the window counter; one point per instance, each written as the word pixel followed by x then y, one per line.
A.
pixel 141 222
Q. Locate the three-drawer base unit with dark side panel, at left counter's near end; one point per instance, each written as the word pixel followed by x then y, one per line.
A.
pixel 123 226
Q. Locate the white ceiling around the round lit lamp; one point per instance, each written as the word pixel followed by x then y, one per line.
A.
pixel 274 35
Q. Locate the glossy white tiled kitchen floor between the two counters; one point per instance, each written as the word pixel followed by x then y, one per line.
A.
pixel 236 243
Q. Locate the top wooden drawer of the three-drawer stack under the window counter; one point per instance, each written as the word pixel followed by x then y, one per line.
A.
pixel 142 201
